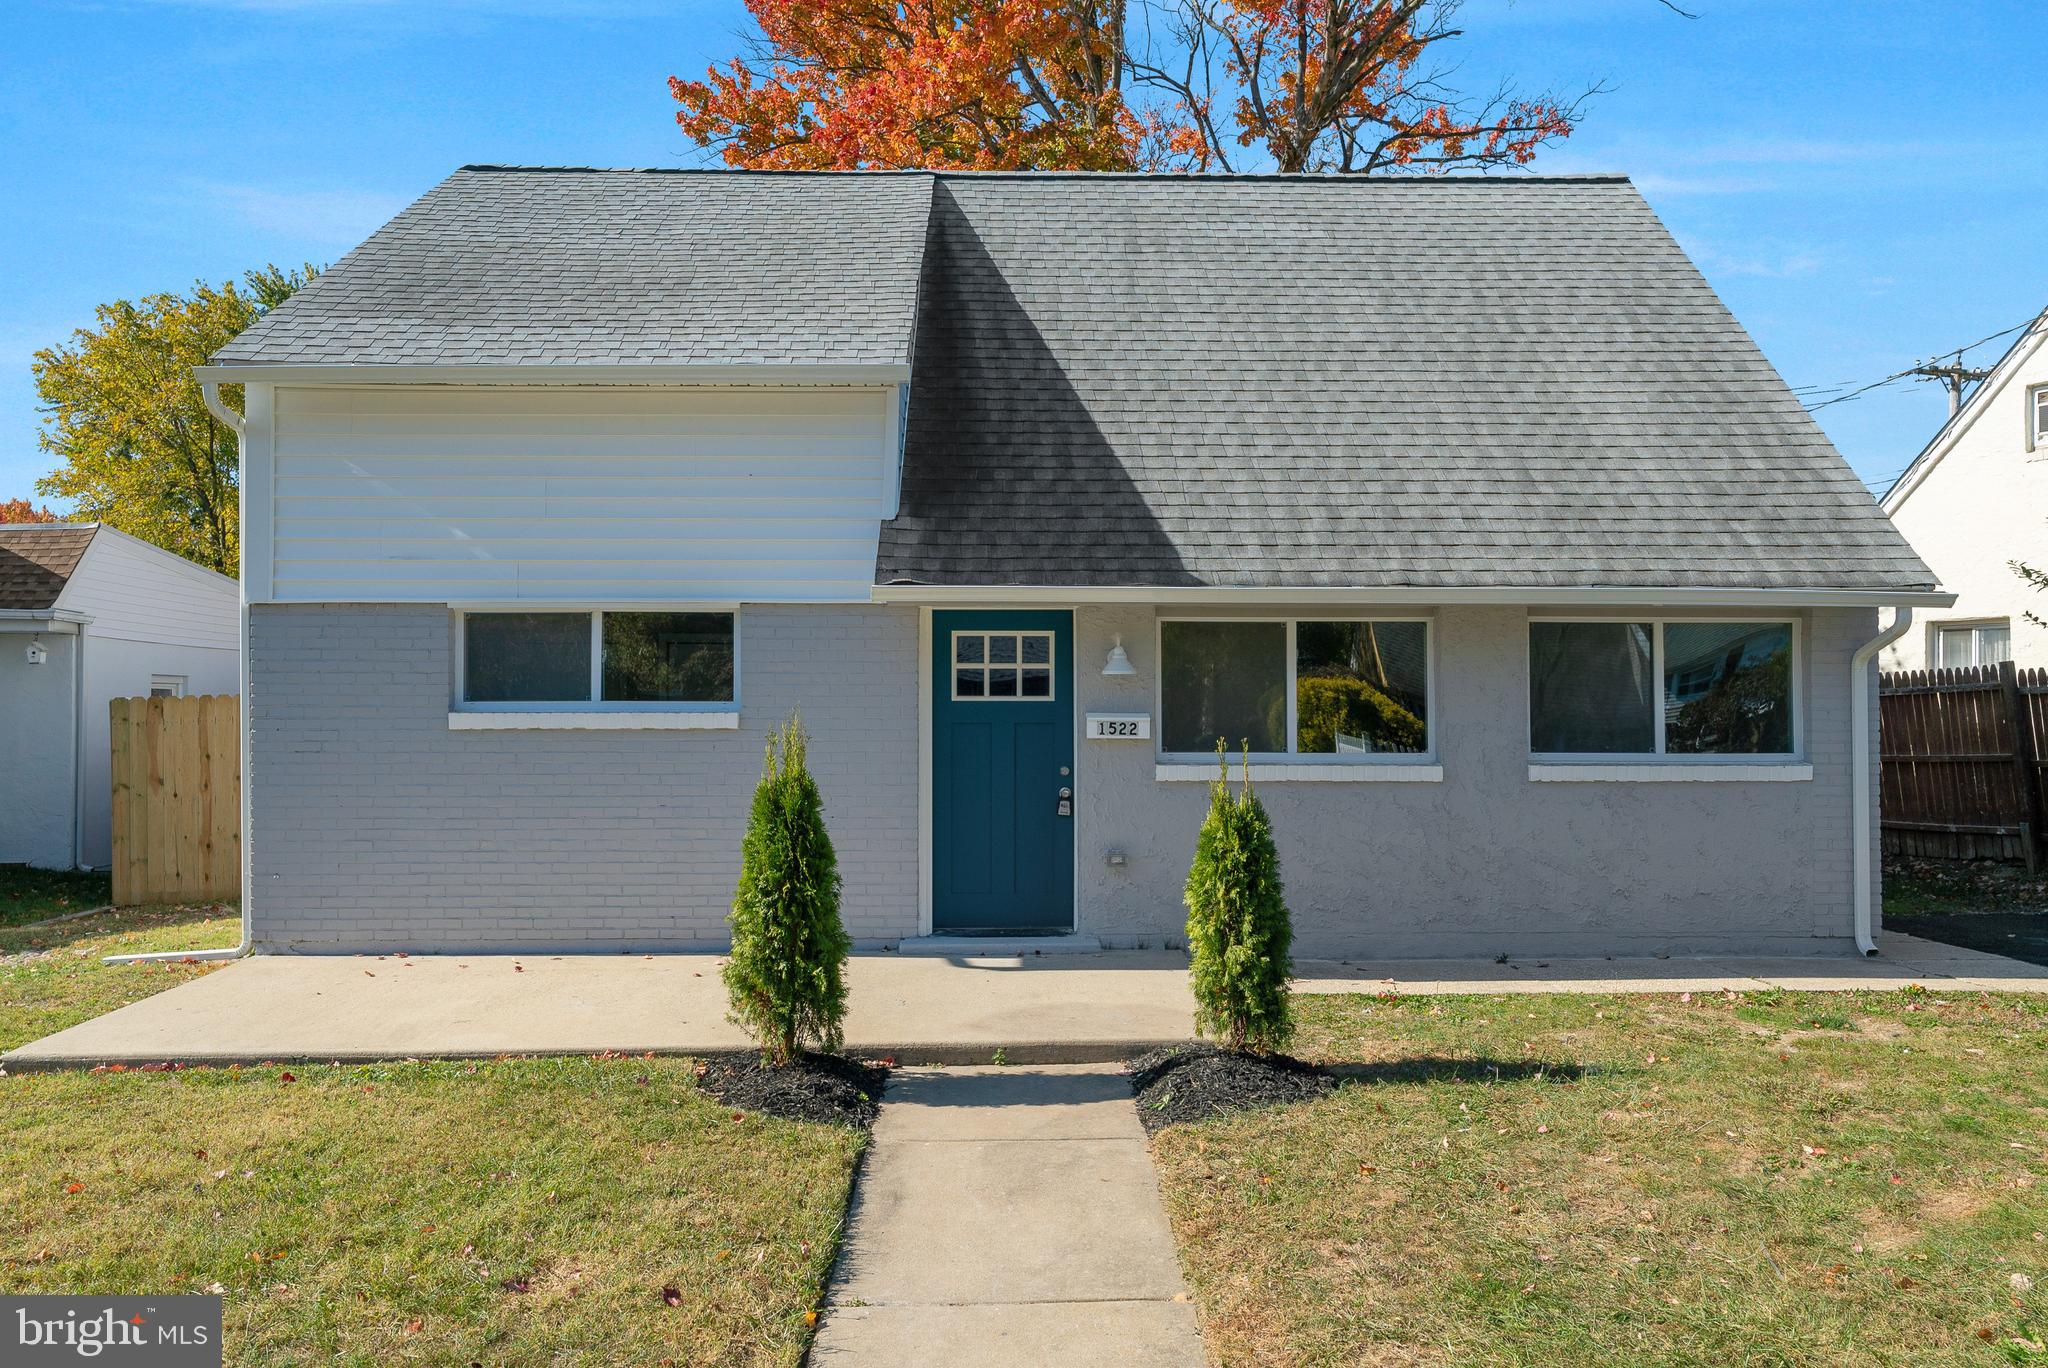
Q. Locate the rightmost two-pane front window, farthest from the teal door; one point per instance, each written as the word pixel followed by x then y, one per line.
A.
pixel 1662 689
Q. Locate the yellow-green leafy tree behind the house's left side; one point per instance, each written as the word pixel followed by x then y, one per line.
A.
pixel 130 429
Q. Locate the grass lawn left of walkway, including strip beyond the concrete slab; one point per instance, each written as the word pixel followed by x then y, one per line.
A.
pixel 505 1213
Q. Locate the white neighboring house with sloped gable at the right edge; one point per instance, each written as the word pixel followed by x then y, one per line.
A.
pixel 1973 503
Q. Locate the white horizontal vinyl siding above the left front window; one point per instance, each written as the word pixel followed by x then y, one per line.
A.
pixel 624 495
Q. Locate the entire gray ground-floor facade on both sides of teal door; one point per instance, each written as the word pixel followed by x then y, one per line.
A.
pixel 378 828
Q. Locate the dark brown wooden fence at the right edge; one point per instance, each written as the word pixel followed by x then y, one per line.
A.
pixel 1963 763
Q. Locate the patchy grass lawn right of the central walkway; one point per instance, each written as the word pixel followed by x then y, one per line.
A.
pixel 1766 1179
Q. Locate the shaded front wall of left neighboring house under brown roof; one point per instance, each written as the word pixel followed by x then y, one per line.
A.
pixel 36 753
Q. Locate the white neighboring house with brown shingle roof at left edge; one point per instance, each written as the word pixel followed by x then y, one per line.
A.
pixel 87 615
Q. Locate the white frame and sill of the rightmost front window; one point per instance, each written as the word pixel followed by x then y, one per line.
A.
pixel 1660 765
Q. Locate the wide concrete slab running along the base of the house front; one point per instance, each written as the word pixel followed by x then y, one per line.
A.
pixel 1056 1009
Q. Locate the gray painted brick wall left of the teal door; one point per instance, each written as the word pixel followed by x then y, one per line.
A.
pixel 380 828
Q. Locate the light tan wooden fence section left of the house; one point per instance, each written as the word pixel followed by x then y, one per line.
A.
pixel 177 777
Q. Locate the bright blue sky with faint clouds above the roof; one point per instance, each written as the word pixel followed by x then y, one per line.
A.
pixel 1861 179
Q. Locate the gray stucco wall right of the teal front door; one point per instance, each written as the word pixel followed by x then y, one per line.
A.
pixel 1486 861
